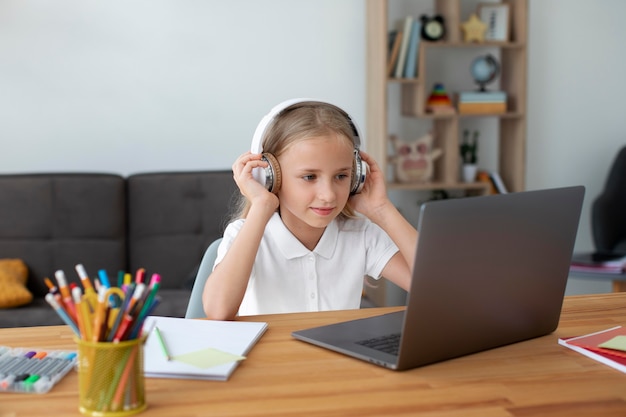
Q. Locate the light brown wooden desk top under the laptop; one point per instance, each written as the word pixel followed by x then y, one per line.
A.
pixel 285 377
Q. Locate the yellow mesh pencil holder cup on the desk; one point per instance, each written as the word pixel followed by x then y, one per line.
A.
pixel 110 377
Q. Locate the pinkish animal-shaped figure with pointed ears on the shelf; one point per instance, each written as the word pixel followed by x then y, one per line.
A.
pixel 414 162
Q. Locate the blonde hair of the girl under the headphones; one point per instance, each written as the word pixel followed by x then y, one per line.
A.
pixel 300 122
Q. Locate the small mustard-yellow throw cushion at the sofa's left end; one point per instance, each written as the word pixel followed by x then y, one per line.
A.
pixel 13 276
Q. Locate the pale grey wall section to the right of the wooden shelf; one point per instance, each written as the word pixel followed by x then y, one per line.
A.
pixel 577 85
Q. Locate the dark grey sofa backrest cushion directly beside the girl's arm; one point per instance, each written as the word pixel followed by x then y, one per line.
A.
pixel 173 217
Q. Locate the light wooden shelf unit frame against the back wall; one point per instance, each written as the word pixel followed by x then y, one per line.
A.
pixel 414 92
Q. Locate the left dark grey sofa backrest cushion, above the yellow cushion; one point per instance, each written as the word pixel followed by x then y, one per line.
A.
pixel 54 221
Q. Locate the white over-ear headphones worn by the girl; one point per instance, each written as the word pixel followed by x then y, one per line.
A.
pixel 271 176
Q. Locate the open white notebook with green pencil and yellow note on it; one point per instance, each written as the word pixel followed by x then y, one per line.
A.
pixel 198 349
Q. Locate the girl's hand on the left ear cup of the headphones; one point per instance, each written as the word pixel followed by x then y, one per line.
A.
pixel 249 187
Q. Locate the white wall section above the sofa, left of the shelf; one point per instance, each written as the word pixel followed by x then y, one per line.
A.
pixel 145 85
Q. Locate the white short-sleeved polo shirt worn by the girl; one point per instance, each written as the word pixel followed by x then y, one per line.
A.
pixel 287 277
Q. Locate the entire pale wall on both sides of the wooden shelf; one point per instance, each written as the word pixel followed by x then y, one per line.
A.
pixel 149 85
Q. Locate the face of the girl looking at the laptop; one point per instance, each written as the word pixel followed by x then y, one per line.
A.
pixel 315 186
